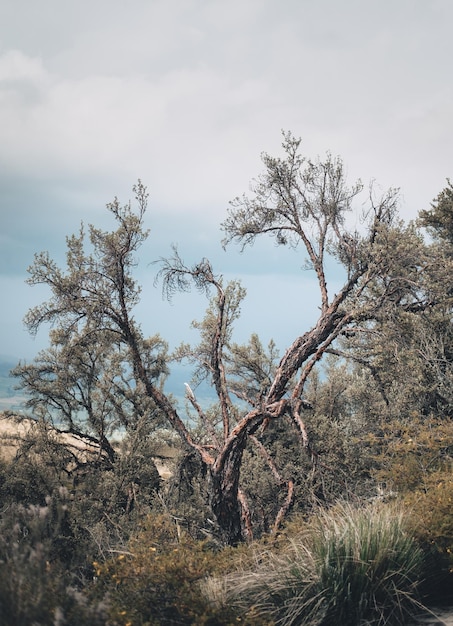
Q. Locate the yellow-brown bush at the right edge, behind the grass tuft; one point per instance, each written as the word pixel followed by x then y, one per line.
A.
pixel 415 462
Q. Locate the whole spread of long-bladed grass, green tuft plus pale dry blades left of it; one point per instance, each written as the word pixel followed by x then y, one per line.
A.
pixel 348 566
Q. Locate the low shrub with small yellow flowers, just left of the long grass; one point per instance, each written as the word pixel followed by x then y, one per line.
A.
pixel 157 581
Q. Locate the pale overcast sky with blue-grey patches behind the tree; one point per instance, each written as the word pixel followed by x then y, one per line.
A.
pixel 186 95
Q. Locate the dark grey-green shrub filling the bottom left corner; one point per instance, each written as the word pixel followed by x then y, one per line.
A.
pixel 37 585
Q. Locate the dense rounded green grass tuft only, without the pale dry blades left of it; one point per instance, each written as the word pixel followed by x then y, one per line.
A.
pixel 368 566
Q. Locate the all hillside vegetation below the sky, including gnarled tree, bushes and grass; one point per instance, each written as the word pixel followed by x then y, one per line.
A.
pixel 315 488
